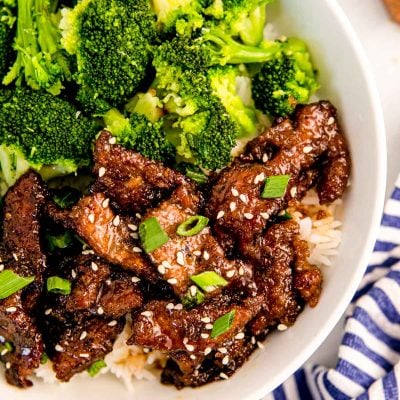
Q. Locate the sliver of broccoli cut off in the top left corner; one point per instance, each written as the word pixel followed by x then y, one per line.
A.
pixel 7 31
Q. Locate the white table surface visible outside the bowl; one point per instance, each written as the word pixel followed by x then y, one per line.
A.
pixel 381 40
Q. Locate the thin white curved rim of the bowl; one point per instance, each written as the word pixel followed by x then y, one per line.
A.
pixel 375 215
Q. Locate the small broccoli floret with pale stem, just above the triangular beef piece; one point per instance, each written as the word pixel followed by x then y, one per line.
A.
pixel 138 133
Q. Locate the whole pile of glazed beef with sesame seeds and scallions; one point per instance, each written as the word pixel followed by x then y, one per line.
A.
pixel 203 272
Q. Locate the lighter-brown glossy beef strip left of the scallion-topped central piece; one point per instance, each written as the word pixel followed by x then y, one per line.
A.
pixel 110 235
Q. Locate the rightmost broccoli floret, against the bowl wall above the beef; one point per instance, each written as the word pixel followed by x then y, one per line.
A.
pixel 286 81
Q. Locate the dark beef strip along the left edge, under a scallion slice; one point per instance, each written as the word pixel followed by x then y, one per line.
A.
pixel 21 252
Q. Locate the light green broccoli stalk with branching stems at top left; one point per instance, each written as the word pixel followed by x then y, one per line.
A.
pixel 40 60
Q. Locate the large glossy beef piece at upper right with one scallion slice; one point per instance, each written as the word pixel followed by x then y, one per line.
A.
pixel 312 139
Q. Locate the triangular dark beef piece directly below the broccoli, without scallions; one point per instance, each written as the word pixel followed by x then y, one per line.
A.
pixel 132 182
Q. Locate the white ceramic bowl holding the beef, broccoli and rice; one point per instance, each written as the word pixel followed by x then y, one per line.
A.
pixel 347 82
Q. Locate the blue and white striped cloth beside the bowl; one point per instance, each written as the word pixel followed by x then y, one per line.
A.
pixel 368 364
